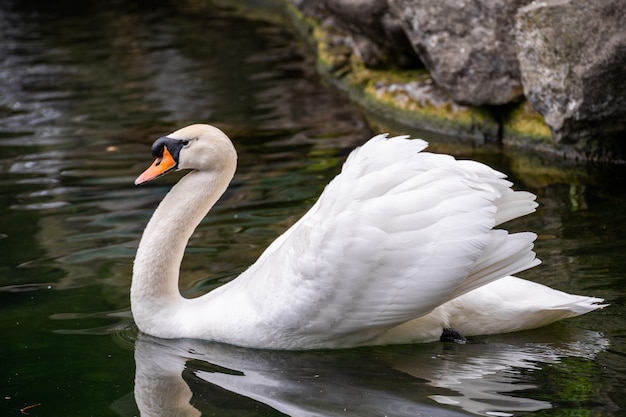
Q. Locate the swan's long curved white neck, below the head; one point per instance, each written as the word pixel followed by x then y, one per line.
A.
pixel 154 290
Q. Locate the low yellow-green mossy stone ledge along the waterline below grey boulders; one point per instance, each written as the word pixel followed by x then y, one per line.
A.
pixel 411 97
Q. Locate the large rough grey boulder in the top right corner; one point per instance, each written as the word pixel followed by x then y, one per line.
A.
pixel 572 56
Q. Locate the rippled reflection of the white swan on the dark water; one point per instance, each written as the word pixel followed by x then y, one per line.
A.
pixel 184 377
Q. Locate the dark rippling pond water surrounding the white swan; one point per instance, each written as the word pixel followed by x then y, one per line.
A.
pixel 84 89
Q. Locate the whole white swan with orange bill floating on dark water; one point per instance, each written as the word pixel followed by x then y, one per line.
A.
pixel 400 247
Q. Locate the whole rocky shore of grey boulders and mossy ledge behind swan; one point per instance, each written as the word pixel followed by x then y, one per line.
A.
pixel 547 75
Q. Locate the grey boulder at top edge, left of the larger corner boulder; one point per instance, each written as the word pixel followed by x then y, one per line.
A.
pixel 467 45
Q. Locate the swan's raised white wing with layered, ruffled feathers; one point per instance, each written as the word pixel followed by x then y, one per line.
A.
pixel 397 233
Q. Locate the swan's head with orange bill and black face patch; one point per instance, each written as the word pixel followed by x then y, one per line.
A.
pixel 199 147
